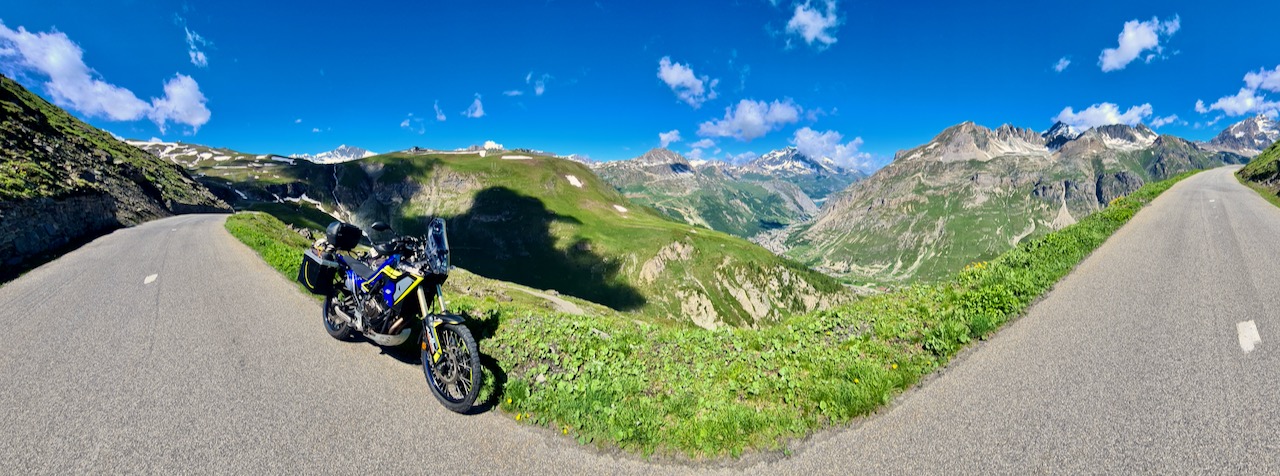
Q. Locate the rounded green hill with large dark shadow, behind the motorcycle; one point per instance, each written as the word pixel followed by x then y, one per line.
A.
pixel 524 222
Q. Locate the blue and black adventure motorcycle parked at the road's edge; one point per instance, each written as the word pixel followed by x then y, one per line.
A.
pixel 388 292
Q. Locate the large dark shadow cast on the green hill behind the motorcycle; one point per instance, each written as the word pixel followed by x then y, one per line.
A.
pixel 508 236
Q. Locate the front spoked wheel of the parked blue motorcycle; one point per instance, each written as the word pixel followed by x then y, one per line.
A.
pixel 454 374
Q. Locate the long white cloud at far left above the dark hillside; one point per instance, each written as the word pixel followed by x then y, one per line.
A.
pixel 71 84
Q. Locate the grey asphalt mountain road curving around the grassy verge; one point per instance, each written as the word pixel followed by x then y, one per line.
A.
pixel 1133 364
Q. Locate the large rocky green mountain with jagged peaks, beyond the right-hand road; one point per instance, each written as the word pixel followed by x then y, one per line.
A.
pixel 973 193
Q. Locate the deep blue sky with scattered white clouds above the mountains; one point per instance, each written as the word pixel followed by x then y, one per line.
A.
pixel 853 80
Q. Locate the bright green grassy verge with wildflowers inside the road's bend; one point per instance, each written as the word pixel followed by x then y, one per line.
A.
pixel 650 388
